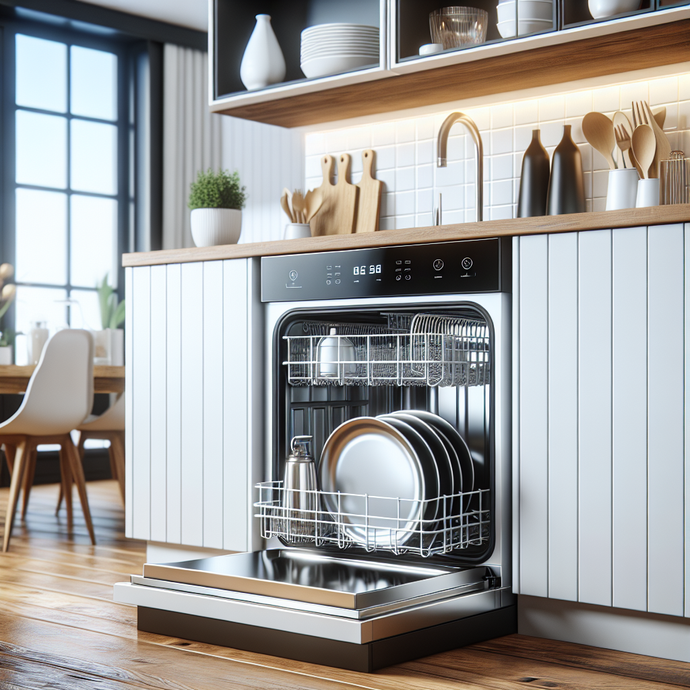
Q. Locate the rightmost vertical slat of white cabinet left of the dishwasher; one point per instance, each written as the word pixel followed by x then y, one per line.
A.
pixel 235 418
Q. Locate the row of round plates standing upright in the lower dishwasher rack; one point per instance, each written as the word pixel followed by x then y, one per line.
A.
pixel 391 479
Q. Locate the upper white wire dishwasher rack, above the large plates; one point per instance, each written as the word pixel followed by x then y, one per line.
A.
pixel 419 349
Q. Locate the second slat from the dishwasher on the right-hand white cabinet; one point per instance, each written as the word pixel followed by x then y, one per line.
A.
pixel 562 415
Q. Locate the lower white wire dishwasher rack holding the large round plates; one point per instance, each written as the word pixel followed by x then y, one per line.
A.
pixel 377 523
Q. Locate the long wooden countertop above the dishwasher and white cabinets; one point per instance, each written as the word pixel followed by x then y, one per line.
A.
pixel 655 215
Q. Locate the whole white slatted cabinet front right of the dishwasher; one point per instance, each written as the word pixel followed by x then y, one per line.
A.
pixel 602 506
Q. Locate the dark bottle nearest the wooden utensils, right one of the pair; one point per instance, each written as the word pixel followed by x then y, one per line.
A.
pixel 566 185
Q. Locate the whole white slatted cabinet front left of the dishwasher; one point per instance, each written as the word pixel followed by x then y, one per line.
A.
pixel 194 381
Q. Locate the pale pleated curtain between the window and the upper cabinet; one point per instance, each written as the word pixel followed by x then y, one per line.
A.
pixel 191 137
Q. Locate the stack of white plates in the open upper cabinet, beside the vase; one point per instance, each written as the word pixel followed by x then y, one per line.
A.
pixel 335 48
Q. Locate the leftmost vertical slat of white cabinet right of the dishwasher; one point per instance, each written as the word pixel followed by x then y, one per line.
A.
pixel 533 403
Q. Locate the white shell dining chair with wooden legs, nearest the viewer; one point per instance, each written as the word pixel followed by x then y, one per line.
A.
pixel 59 398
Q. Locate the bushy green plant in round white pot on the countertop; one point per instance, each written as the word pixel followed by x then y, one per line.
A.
pixel 216 200
